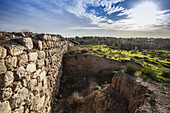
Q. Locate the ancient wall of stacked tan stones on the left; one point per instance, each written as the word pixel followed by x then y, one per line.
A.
pixel 29 69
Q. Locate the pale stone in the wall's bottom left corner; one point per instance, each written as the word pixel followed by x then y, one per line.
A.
pixel 5 107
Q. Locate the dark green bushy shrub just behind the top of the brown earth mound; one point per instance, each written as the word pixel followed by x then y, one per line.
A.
pixel 131 69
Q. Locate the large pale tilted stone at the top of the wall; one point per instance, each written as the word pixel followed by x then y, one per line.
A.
pixel 27 42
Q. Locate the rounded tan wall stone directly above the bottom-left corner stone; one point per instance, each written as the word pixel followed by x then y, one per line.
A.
pixel 6 94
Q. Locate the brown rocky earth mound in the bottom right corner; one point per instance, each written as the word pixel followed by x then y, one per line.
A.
pixel 142 96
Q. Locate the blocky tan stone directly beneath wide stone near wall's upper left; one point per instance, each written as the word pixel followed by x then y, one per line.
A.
pixel 11 62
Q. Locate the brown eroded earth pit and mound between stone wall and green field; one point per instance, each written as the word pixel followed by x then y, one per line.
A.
pixel 85 88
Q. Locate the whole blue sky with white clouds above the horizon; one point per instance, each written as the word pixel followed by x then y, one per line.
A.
pixel 119 18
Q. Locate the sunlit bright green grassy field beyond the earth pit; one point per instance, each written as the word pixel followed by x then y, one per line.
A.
pixel 155 63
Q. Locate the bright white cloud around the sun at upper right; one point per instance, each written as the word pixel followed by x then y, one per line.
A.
pixel 144 16
